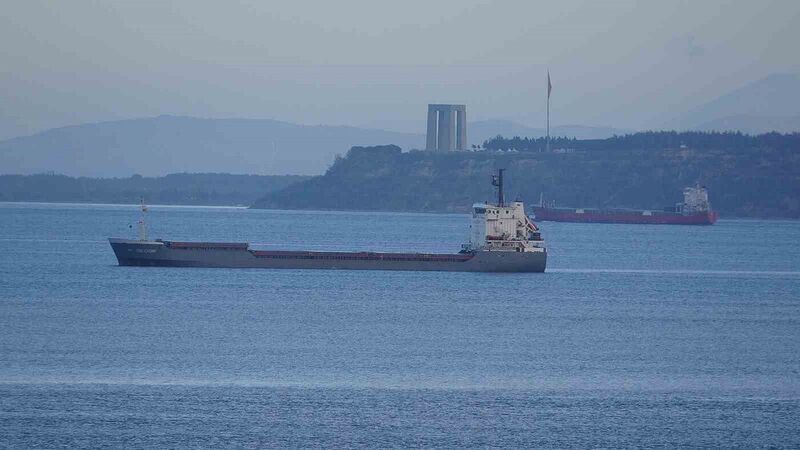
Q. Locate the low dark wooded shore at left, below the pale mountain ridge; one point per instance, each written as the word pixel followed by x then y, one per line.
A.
pixel 179 188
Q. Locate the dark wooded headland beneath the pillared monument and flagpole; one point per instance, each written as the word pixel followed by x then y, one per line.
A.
pixel 758 180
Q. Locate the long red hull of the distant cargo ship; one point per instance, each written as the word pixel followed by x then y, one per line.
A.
pixel 636 217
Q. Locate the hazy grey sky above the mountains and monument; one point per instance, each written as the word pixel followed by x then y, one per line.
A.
pixel 628 64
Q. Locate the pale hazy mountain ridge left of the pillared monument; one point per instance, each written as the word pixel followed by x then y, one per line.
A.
pixel 167 144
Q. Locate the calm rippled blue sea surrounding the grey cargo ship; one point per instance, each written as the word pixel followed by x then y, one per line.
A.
pixel 636 336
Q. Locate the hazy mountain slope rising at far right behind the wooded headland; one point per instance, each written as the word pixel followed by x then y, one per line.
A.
pixel 769 104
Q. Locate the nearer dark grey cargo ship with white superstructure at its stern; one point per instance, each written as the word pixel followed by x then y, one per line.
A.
pixel 502 239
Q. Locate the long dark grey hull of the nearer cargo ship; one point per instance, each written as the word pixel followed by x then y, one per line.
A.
pixel 238 255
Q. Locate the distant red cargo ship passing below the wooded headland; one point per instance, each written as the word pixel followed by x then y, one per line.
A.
pixel 694 210
